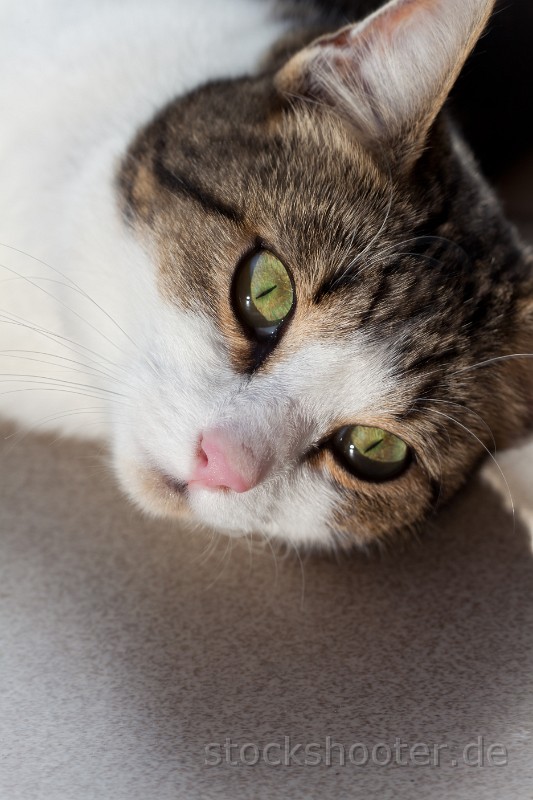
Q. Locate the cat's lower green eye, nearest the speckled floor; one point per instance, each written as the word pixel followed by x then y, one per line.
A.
pixel 371 453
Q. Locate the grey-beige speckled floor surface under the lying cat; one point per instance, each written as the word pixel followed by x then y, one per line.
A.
pixel 126 645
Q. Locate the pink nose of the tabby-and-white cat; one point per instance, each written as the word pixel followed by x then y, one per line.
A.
pixel 224 464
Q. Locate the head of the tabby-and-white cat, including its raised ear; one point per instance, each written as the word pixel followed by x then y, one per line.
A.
pixel 323 271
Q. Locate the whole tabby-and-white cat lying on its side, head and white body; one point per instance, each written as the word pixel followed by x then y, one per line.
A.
pixel 247 244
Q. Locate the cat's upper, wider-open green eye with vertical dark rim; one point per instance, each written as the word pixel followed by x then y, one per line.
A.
pixel 263 293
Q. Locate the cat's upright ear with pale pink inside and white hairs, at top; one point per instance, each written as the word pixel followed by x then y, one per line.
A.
pixel 390 74
